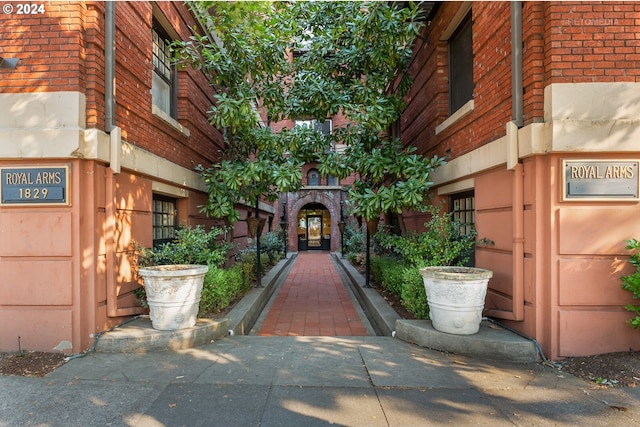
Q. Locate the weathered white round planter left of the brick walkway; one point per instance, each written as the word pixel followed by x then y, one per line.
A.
pixel 173 293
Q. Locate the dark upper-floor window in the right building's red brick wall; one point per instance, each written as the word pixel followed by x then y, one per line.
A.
pixel 461 65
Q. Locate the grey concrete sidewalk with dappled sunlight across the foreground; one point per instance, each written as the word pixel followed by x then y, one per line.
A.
pixel 310 381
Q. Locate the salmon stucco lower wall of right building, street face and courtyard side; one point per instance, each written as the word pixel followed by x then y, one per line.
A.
pixel 574 255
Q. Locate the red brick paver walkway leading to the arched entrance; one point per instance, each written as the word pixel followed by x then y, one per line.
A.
pixel 312 302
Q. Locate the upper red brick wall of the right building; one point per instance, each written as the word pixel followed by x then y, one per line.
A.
pixel 563 42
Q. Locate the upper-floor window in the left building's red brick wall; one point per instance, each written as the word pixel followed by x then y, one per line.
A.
pixel 164 78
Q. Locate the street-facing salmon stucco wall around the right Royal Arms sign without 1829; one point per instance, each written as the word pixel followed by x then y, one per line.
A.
pixel 587 258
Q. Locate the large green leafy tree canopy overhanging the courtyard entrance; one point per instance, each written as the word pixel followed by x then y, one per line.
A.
pixel 309 60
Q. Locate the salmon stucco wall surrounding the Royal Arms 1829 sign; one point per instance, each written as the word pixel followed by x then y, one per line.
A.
pixel 40 292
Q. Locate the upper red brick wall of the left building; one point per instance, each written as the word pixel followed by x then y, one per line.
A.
pixel 62 49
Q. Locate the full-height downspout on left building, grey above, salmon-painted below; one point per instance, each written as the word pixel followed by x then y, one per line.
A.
pixel 114 167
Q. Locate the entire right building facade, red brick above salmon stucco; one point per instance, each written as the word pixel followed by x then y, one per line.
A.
pixel 549 86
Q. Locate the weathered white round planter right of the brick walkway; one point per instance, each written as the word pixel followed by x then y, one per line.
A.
pixel 456 297
